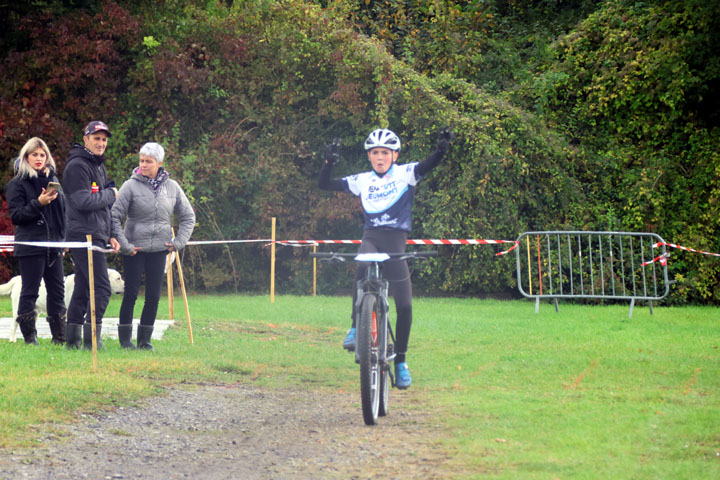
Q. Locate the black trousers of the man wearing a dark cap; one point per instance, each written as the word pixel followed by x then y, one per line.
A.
pixel 79 308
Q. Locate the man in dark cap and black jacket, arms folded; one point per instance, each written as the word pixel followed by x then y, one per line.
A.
pixel 90 196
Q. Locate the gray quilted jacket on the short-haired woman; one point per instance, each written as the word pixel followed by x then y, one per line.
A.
pixel 148 215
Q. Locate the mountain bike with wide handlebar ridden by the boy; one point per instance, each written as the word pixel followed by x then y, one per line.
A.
pixel 374 338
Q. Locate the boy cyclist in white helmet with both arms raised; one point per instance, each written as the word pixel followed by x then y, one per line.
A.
pixel 387 195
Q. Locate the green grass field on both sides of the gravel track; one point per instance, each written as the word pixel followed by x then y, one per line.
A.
pixel 583 393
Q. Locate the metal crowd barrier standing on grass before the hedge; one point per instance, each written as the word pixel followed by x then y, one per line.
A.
pixel 599 265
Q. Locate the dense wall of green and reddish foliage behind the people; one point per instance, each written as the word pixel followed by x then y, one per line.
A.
pixel 569 115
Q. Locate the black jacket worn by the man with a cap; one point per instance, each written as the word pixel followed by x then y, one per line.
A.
pixel 88 213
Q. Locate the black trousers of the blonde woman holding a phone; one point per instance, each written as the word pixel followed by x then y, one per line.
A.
pixel 34 269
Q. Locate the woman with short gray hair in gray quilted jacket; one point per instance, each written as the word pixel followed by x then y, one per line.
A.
pixel 146 204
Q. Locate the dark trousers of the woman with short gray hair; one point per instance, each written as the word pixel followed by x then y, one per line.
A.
pixel 153 266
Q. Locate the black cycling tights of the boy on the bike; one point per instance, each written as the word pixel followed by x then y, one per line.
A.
pixel 398 274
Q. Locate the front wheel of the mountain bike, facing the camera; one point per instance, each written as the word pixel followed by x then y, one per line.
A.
pixel 367 352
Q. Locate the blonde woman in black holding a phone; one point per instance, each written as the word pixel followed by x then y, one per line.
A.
pixel 37 210
